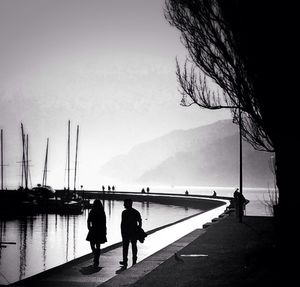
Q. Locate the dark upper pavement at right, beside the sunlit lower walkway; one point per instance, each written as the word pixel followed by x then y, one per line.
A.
pixel 229 253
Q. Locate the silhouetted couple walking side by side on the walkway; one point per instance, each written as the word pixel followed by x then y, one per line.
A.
pixel 131 224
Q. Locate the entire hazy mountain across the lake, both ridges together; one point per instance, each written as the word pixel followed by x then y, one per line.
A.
pixel 207 156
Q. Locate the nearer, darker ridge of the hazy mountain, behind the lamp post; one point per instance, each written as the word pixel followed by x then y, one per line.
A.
pixel 214 165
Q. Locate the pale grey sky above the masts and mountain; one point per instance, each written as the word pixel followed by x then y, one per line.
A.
pixel 105 65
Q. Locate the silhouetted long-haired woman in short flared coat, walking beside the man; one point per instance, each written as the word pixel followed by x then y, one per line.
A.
pixel 96 224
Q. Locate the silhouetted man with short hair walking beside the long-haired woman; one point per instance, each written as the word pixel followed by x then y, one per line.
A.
pixel 131 221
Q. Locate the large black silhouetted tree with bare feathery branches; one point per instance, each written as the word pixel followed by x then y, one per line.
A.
pixel 242 46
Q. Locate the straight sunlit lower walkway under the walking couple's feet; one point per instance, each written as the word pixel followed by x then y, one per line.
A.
pixel 80 272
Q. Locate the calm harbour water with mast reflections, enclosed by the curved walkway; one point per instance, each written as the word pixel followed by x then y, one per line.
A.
pixel 45 241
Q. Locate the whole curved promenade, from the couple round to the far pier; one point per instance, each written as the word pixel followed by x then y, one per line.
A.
pixel 80 272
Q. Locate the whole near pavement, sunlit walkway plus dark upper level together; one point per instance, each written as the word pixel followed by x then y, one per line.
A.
pixel 224 253
